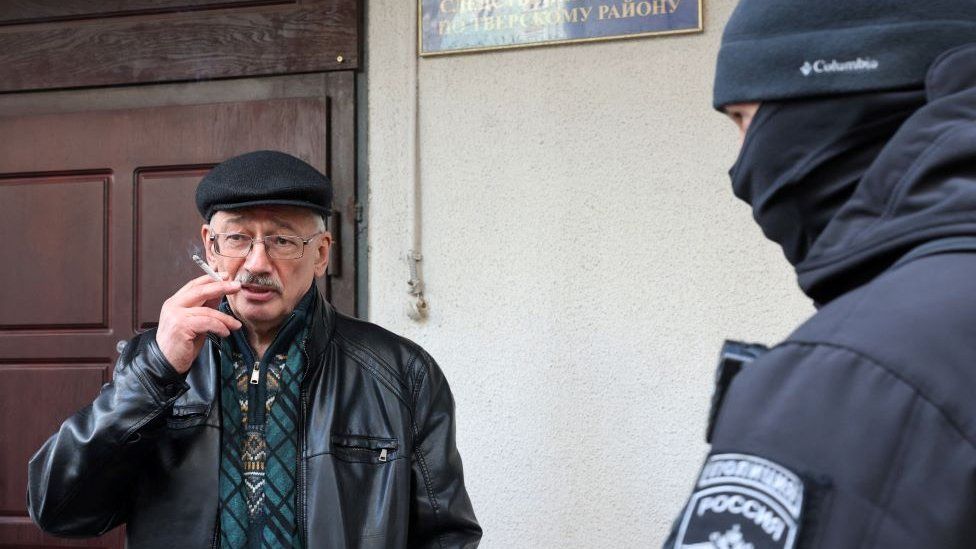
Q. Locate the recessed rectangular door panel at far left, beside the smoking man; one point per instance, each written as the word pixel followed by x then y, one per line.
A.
pixel 55 251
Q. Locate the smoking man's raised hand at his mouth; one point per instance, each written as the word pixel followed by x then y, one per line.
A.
pixel 188 315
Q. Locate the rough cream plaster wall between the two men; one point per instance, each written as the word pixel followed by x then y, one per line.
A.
pixel 584 260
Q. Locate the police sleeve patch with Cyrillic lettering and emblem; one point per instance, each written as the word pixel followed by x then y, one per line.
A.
pixel 742 502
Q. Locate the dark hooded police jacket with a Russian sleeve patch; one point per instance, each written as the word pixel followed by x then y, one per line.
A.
pixel 859 430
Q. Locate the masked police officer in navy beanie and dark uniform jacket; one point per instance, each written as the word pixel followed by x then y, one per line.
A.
pixel 859 160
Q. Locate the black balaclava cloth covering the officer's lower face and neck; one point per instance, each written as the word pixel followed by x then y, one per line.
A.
pixel 802 159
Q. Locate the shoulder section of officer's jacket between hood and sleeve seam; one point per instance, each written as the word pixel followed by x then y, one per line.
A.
pixel 916 322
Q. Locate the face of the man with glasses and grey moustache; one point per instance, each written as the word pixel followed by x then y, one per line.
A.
pixel 271 288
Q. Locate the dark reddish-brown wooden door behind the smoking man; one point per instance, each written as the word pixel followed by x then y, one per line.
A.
pixel 98 222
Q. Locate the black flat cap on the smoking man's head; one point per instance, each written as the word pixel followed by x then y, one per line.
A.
pixel 263 178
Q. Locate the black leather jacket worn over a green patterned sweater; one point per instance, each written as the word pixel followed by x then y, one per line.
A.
pixel 146 452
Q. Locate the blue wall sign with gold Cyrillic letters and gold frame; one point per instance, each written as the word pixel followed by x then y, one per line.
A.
pixel 458 26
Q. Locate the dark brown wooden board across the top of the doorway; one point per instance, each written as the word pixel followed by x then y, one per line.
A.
pixel 54 44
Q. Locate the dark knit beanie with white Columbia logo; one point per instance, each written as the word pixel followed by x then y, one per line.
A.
pixel 787 49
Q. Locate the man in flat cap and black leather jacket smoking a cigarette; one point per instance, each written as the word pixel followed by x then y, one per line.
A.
pixel 270 420
